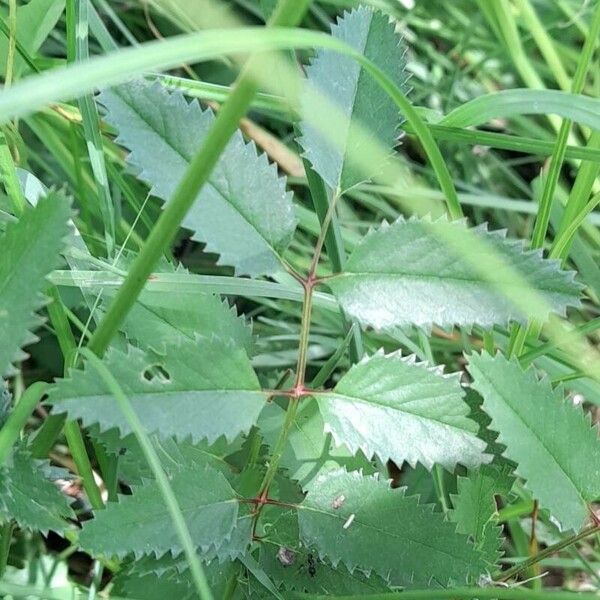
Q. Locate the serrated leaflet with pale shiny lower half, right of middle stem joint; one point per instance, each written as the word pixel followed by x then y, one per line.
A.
pixel 392 407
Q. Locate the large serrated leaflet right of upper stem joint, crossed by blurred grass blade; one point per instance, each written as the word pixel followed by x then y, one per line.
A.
pixel 419 272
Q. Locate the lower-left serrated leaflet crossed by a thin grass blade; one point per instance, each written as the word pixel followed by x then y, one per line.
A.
pixel 141 524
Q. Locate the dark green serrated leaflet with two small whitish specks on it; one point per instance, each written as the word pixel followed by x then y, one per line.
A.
pixel 363 523
